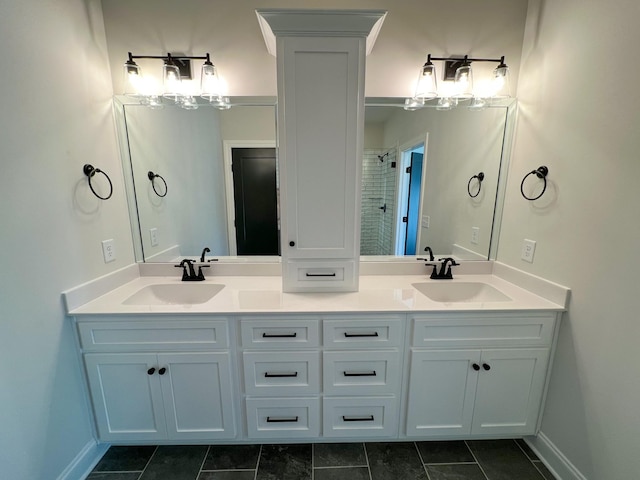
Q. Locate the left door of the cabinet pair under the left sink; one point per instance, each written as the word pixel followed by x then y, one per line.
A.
pixel 127 398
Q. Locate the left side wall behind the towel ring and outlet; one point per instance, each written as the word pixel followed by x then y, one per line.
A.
pixel 56 116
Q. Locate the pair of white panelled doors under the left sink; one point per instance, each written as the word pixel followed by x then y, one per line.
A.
pixel 148 396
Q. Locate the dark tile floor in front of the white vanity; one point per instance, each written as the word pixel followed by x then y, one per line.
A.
pixel 455 460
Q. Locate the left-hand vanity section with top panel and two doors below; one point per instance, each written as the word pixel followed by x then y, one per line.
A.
pixel 159 379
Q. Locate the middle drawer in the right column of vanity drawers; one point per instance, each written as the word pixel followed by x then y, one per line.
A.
pixel 361 373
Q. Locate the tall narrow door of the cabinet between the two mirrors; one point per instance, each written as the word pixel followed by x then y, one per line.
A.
pixel 320 84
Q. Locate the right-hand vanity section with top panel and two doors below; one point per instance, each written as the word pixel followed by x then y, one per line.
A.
pixel 481 374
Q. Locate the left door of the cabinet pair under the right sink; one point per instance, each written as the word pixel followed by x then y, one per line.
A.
pixel 442 384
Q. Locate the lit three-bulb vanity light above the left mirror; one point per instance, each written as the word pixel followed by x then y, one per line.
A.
pixel 175 68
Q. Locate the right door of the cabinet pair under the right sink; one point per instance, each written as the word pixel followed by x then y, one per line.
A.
pixel 510 387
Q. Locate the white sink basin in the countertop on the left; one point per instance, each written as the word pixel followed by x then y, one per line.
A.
pixel 174 294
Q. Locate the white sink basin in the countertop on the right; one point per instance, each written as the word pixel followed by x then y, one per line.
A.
pixel 460 292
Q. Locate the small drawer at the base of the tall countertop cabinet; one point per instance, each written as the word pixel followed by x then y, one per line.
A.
pixel 325 275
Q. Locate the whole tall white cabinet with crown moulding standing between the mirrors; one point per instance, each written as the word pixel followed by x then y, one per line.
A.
pixel 321 66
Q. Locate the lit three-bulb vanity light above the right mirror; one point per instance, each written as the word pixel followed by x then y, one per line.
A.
pixel 461 89
